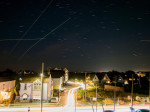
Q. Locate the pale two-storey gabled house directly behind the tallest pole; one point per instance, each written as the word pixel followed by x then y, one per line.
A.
pixel 30 89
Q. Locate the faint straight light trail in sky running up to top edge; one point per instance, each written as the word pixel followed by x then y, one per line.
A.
pixel 31 26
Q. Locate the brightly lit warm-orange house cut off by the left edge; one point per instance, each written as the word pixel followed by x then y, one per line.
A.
pixel 7 87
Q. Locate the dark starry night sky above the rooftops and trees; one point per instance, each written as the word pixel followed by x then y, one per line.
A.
pixel 81 35
